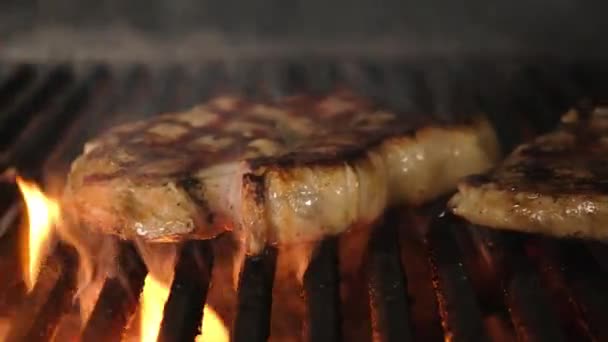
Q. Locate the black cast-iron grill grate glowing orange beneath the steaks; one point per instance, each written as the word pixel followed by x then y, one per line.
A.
pixel 452 281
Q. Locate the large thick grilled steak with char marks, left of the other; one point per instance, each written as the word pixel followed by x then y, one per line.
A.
pixel 290 171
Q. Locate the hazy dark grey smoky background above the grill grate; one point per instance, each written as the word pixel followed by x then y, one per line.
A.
pixel 199 29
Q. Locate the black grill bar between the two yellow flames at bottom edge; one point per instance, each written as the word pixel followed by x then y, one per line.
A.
pixel 183 311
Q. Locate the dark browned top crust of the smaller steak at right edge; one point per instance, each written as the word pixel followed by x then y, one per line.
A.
pixel 570 161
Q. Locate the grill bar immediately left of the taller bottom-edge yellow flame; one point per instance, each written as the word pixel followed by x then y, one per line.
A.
pixel 117 303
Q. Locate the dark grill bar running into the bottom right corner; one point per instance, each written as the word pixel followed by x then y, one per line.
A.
pixel 585 282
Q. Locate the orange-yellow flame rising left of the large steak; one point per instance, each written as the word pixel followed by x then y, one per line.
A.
pixel 42 214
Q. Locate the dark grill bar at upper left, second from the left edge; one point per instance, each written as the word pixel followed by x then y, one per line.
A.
pixel 32 101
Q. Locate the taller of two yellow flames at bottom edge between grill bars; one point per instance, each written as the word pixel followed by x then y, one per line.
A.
pixel 153 299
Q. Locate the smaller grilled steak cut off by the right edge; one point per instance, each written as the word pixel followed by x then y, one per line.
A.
pixel 556 185
